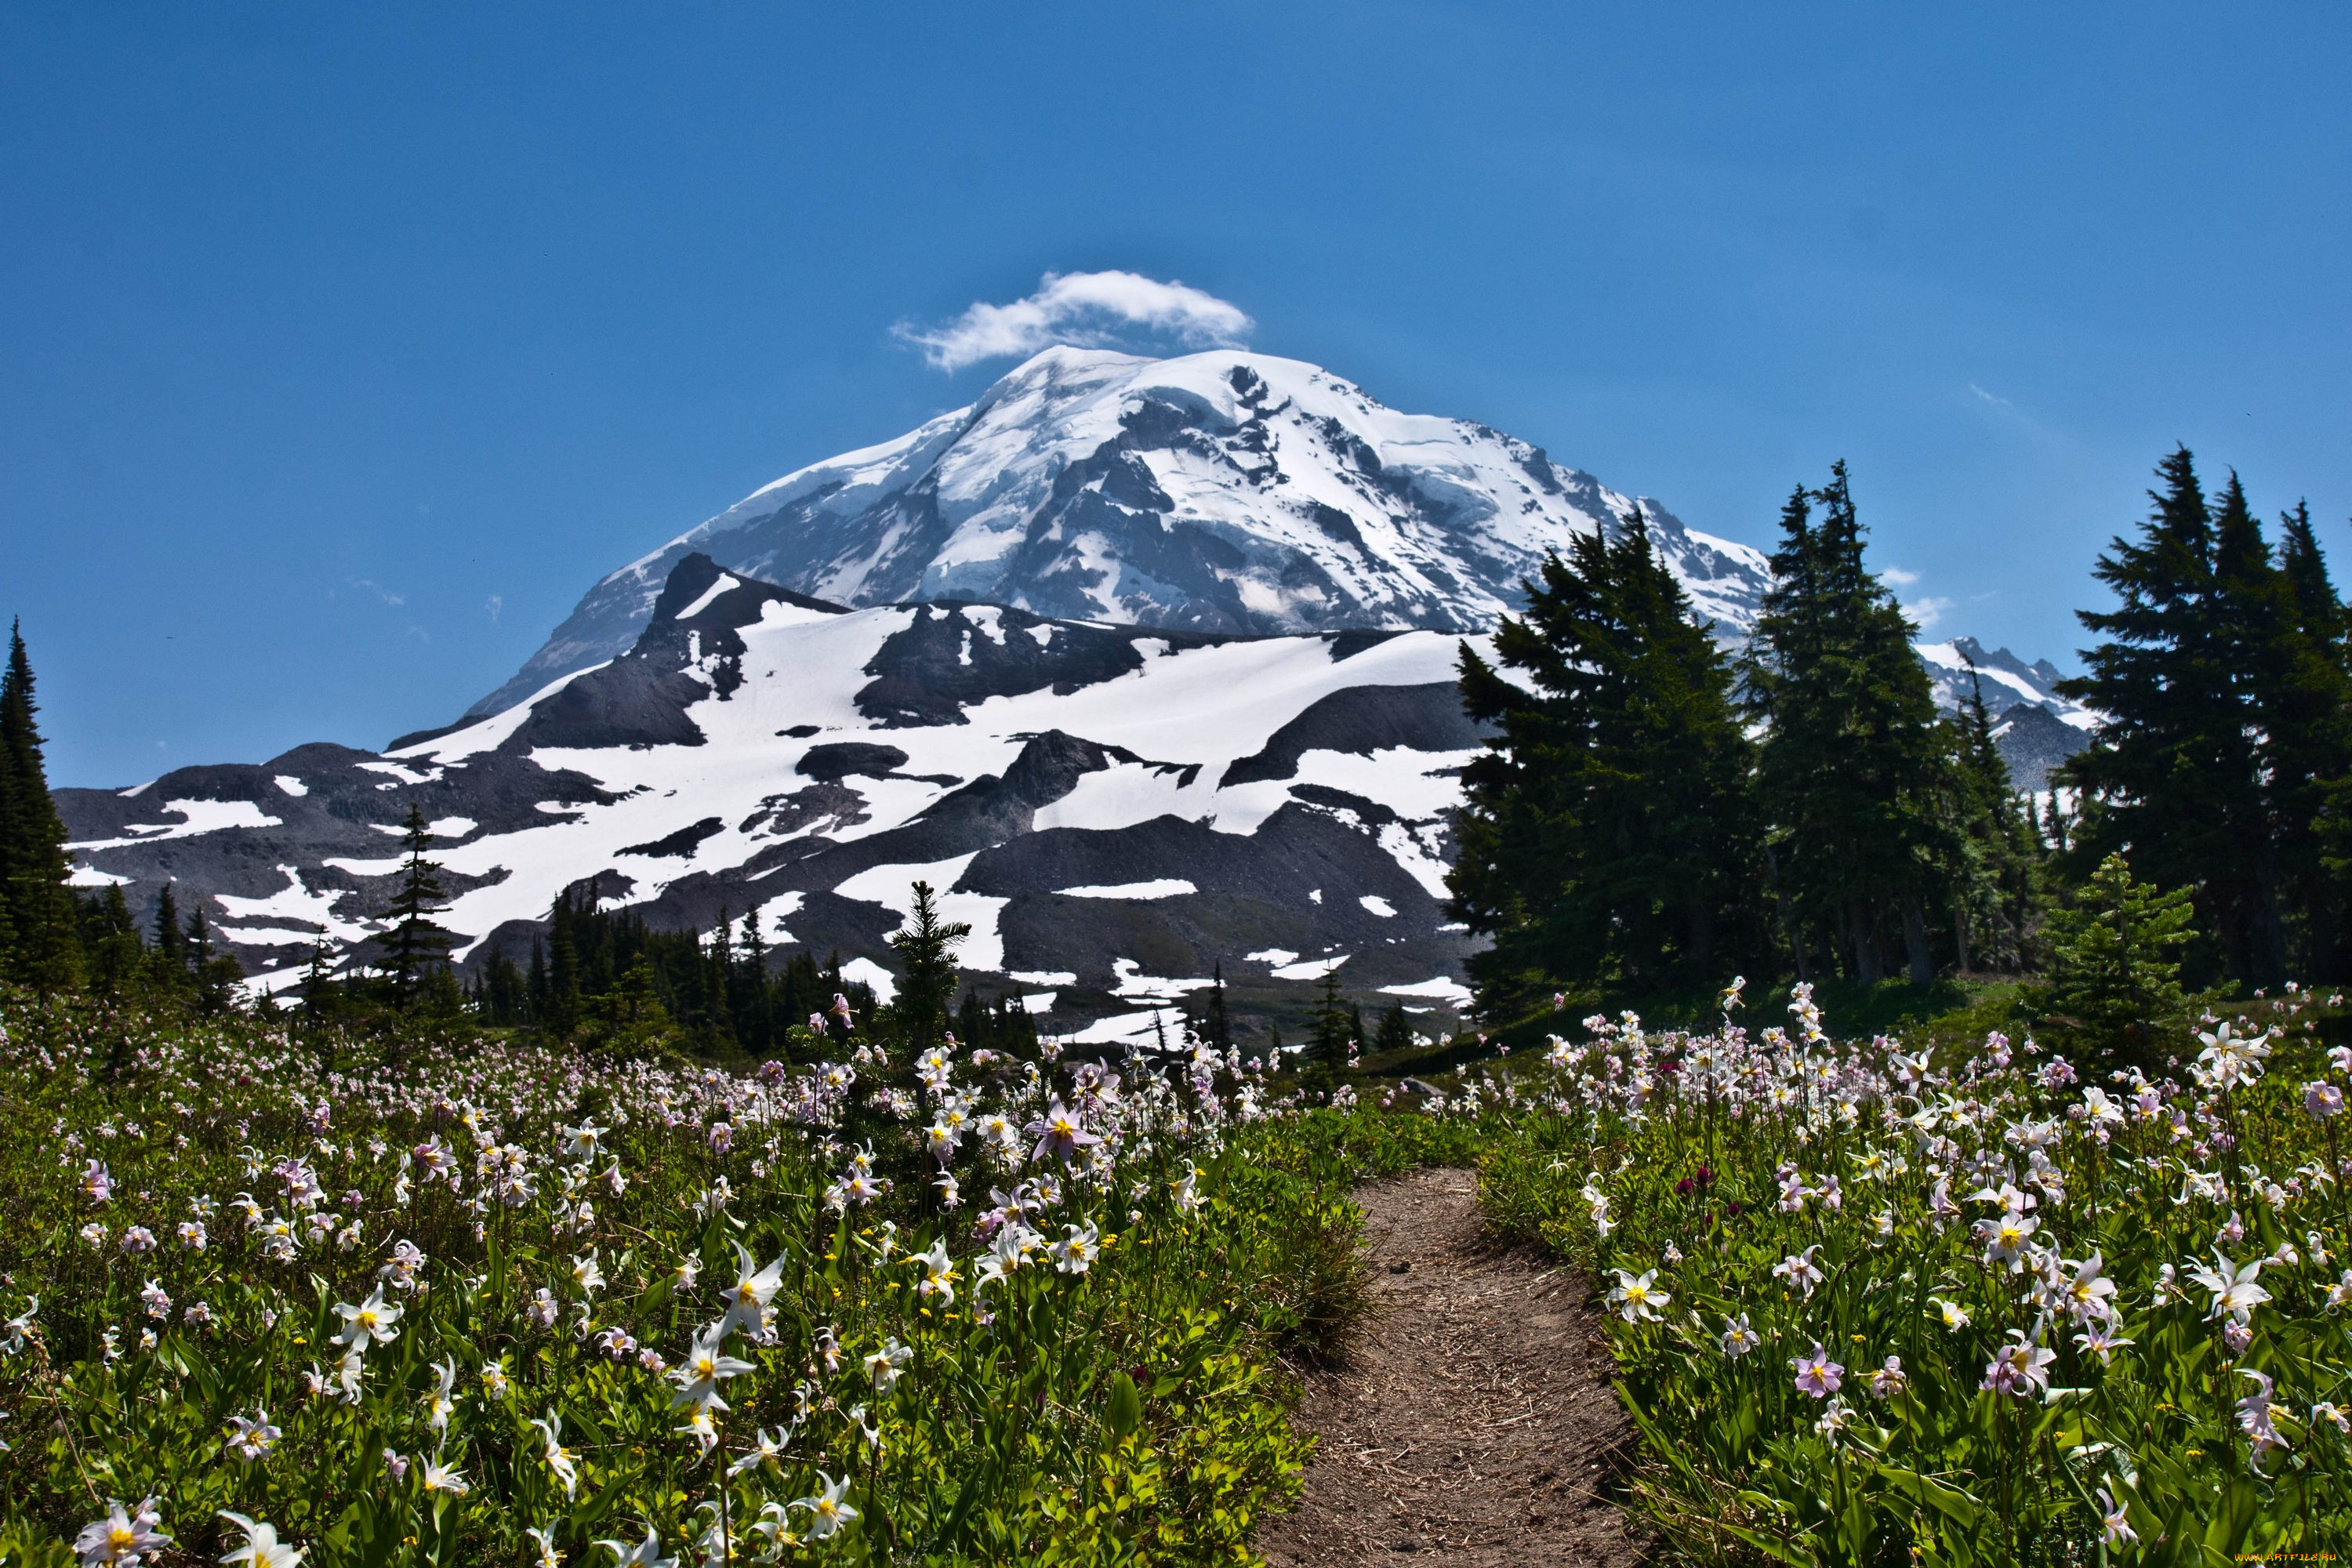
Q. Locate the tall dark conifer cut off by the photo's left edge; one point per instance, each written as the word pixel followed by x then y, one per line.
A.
pixel 39 927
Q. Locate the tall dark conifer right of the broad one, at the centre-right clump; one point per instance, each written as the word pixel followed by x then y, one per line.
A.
pixel 1855 770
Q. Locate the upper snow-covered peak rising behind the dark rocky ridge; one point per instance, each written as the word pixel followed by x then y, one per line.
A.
pixel 1220 492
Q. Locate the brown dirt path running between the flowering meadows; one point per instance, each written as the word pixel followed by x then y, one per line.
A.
pixel 1476 1419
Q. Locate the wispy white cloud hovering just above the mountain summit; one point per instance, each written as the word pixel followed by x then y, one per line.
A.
pixel 1085 309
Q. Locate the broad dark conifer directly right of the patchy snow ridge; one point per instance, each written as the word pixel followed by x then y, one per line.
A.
pixel 1605 838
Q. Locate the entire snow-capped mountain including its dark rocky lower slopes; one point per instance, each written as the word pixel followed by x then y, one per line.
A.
pixel 1144 664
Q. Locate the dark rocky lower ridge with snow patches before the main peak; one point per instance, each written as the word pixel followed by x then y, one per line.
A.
pixel 1116 810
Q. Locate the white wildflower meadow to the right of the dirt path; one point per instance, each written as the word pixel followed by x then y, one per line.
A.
pixel 1873 1306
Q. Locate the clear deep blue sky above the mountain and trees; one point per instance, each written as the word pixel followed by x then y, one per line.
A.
pixel 345 347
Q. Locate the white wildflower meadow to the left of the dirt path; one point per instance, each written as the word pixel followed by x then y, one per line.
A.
pixel 295 1301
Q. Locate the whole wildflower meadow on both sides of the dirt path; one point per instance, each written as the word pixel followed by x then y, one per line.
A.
pixel 281 1299
